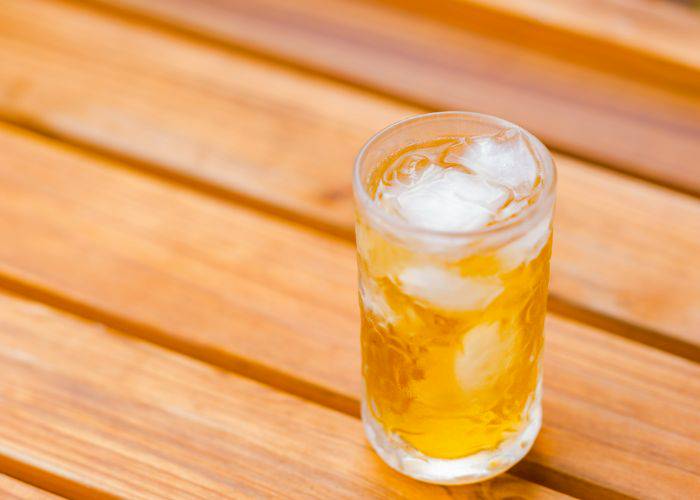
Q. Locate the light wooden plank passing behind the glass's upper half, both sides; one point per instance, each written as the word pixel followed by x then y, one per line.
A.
pixel 286 140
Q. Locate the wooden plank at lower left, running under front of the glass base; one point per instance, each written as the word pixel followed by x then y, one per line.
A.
pixel 136 421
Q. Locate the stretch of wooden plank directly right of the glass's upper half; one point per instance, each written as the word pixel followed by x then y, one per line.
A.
pixel 629 250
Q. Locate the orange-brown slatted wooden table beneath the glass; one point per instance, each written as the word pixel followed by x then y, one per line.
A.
pixel 178 312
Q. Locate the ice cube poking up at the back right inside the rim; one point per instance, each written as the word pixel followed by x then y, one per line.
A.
pixel 505 158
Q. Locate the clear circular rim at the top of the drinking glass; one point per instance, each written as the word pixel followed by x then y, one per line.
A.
pixel 394 222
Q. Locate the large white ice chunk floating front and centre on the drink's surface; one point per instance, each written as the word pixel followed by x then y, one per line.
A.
pixel 446 199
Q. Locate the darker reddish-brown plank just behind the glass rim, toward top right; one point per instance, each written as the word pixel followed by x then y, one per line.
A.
pixel 604 105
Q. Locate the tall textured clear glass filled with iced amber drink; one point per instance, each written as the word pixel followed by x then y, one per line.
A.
pixel 452 320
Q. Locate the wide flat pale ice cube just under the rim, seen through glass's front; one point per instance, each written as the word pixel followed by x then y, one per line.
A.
pixel 449 291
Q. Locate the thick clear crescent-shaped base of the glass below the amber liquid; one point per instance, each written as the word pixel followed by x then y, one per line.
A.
pixel 474 468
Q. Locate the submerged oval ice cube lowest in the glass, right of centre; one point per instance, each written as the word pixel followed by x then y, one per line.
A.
pixel 481 356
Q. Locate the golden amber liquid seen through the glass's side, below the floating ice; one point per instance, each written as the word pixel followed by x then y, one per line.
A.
pixel 450 381
